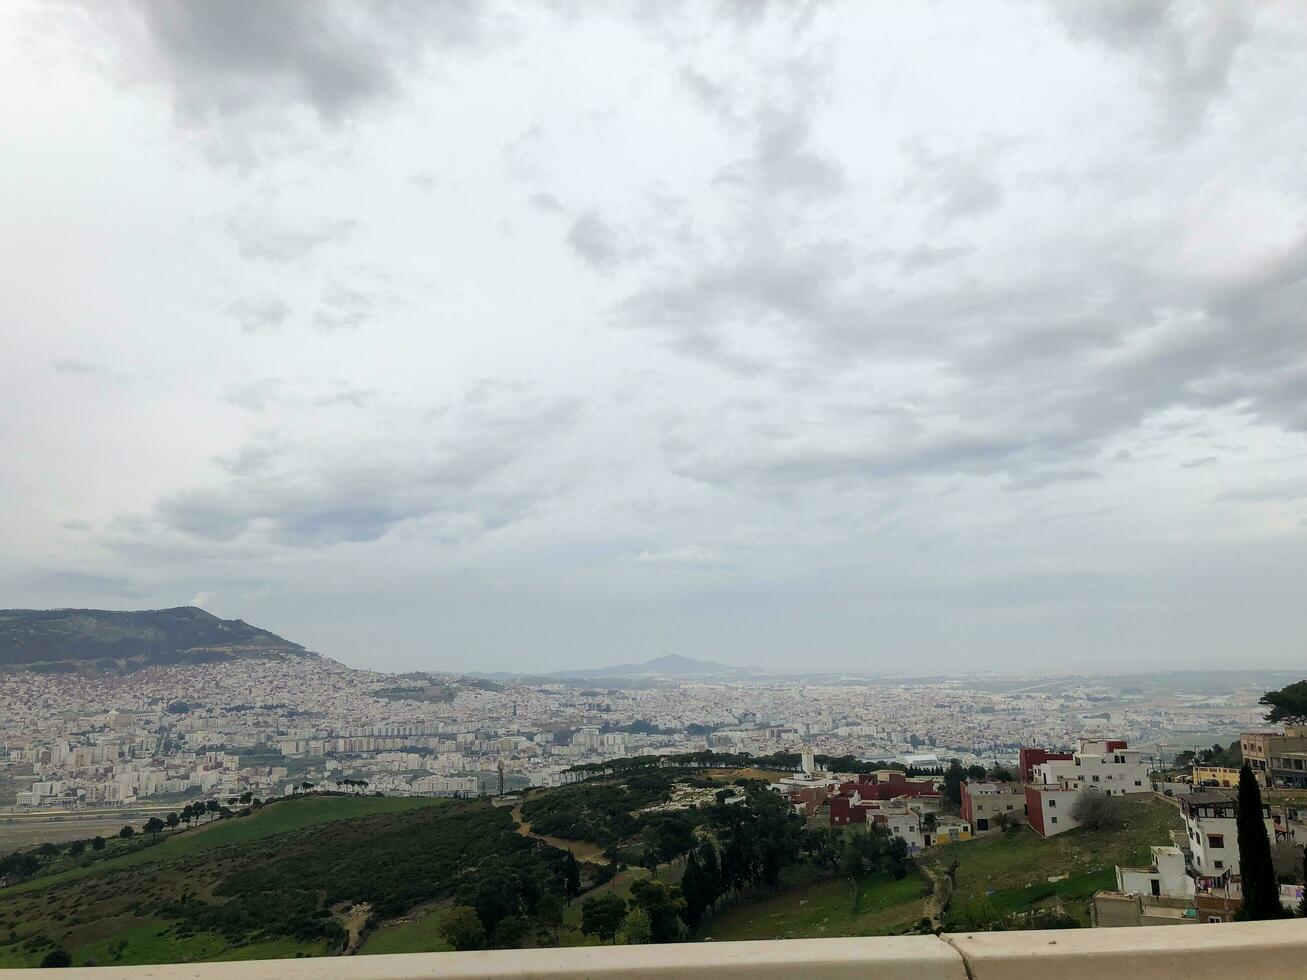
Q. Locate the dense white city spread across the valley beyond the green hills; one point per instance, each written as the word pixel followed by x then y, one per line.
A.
pixel 214 731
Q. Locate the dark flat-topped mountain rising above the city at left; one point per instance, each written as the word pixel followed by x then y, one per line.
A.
pixel 73 640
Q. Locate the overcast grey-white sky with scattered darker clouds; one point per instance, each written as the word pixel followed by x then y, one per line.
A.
pixel 872 336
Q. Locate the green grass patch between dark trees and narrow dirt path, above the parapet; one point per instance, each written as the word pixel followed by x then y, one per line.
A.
pixel 814 911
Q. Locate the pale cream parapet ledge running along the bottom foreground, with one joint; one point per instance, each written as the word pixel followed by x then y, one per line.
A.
pixel 1265 951
